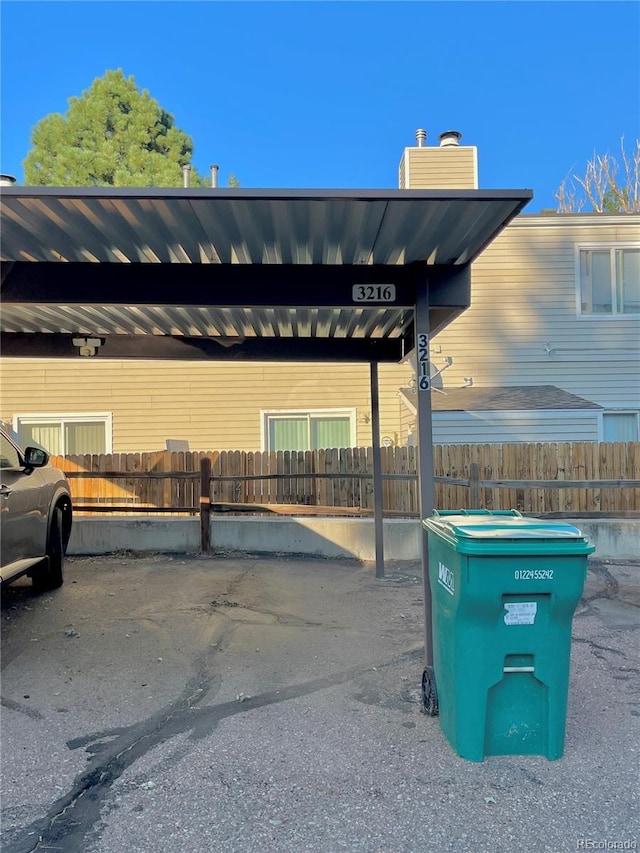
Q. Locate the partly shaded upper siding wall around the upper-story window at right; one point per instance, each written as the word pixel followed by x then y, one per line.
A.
pixel 523 298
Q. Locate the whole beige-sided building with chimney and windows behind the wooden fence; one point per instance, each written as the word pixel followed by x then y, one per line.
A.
pixel 549 350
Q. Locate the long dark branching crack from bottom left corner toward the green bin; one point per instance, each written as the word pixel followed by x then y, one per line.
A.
pixel 73 816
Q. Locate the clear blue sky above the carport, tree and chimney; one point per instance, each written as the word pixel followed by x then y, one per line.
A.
pixel 327 94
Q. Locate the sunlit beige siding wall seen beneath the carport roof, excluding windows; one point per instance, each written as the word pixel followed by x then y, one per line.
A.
pixel 212 405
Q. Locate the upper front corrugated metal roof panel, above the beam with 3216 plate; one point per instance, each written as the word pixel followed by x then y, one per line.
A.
pixel 251 227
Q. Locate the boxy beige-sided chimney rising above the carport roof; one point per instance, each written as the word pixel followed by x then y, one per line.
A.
pixel 431 168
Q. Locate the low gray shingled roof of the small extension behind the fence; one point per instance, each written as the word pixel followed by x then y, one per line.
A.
pixel 502 398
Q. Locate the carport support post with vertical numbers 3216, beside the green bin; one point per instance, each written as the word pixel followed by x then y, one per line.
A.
pixel 425 450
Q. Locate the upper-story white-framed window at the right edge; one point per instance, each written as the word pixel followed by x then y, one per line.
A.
pixel 609 280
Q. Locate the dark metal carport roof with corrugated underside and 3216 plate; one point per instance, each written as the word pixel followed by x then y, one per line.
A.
pixel 237 274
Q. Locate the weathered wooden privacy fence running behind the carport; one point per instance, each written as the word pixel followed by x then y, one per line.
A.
pixel 565 478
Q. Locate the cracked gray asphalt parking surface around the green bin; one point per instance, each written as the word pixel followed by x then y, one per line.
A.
pixel 167 703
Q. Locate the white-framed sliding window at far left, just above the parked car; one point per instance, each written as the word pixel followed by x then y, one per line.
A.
pixel 66 435
